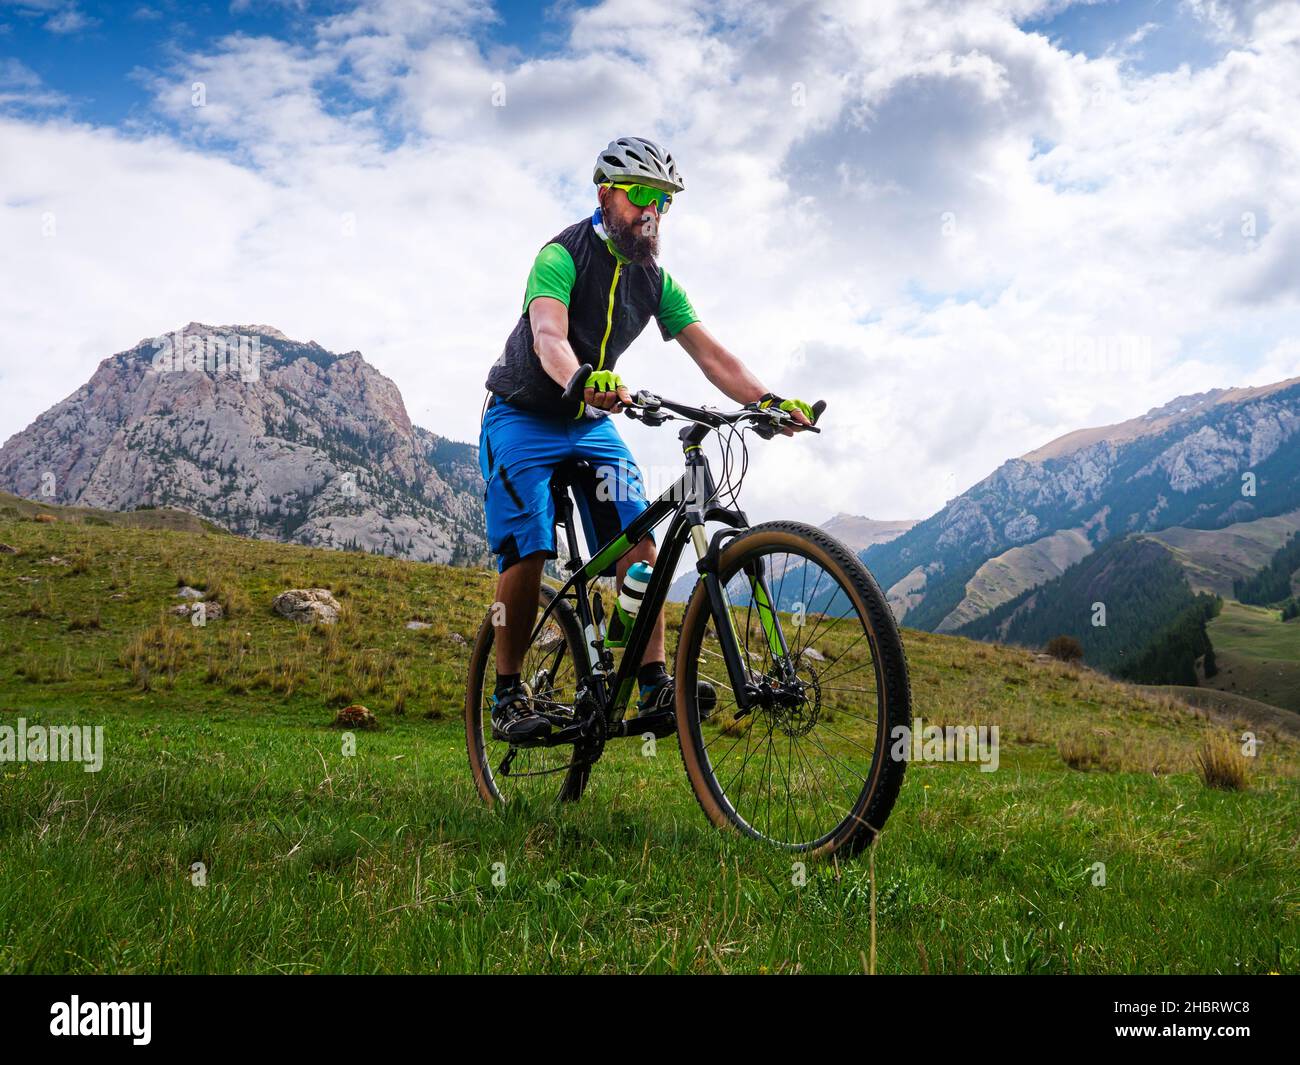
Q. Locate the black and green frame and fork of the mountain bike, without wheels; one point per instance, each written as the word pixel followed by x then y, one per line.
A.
pixel 690 506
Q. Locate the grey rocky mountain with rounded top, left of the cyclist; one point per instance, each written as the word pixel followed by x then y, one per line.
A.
pixel 262 435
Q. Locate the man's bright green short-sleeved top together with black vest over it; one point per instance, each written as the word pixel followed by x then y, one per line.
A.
pixel 610 301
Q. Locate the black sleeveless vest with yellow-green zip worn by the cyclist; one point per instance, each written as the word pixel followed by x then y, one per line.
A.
pixel 518 376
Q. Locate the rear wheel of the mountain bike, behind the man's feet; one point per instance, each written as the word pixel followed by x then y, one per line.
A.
pixel 553 665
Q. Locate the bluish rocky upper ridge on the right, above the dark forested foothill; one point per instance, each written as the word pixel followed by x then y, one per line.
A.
pixel 1201 462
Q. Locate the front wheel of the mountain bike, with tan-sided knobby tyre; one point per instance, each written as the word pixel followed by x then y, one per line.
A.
pixel 809 769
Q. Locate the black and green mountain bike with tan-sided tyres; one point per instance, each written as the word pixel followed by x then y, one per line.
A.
pixel 791 676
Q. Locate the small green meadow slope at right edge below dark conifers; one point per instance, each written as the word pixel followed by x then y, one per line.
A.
pixel 1258 655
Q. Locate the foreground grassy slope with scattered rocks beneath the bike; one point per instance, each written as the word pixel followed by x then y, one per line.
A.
pixel 219 754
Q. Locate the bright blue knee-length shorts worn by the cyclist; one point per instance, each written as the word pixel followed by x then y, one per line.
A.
pixel 518 454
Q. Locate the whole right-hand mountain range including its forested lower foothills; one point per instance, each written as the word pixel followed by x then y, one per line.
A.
pixel 1121 536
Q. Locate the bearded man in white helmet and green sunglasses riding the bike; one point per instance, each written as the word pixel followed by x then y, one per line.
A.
pixel 590 295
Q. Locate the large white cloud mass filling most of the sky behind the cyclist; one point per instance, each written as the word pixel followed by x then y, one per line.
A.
pixel 967 240
